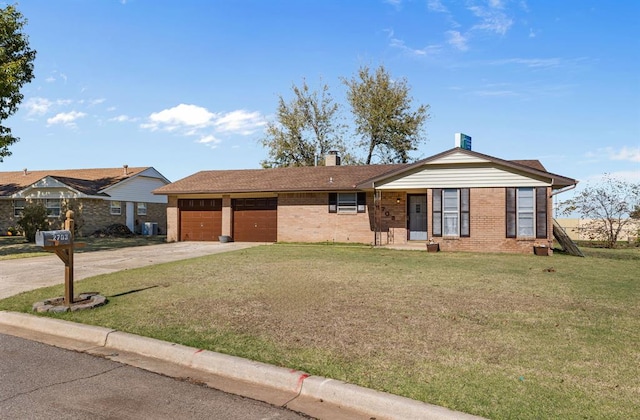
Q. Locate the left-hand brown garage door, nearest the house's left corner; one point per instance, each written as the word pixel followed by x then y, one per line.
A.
pixel 200 219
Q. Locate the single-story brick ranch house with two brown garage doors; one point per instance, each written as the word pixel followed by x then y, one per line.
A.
pixel 462 199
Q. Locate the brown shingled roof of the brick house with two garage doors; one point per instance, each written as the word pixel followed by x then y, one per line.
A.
pixel 344 178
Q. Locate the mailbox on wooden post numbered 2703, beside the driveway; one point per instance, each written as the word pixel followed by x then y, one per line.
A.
pixel 61 242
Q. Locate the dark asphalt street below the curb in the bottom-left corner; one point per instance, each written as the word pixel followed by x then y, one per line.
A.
pixel 44 382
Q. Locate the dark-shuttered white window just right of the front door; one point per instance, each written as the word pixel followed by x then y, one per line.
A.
pixel 450 216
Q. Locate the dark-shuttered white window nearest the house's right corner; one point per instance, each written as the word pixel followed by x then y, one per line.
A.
pixel 526 212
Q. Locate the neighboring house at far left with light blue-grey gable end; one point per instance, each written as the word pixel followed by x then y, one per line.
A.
pixel 100 197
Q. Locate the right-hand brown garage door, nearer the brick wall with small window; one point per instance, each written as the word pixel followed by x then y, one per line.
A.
pixel 255 219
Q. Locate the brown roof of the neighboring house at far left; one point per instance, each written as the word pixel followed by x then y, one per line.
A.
pixel 90 182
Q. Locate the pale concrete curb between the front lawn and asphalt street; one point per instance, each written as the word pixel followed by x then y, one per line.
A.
pixel 372 403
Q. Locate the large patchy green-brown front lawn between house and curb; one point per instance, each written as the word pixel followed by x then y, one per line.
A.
pixel 497 335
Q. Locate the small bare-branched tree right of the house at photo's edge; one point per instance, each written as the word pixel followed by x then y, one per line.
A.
pixel 608 207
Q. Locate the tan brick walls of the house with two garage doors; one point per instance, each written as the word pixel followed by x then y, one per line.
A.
pixel 305 217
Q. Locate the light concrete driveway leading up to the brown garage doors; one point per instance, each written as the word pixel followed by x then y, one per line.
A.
pixel 23 274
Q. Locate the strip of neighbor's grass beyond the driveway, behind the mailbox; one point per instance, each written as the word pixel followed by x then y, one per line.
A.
pixel 12 247
